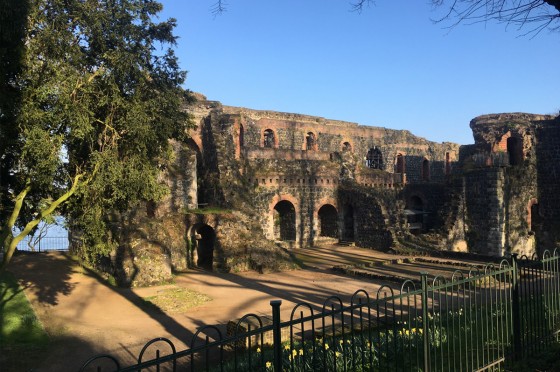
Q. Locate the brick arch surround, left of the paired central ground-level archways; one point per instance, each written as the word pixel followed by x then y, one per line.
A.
pixel 275 213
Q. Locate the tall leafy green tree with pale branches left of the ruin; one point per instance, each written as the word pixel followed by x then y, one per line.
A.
pixel 96 96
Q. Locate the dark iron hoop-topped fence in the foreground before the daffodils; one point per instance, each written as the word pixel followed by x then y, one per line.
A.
pixel 471 321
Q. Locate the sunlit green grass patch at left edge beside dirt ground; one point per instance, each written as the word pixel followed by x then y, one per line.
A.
pixel 18 322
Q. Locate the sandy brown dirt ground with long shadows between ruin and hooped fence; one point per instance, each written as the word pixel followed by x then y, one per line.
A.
pixel 86 317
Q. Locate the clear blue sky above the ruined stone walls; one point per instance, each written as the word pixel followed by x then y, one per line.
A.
pixel 389 66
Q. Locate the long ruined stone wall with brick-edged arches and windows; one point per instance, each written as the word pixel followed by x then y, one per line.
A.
pixel 249 182
